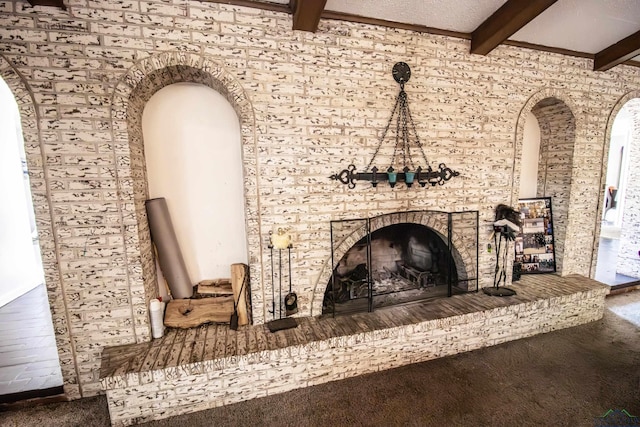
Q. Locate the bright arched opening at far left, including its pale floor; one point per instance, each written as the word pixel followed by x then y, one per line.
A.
pixel 29 365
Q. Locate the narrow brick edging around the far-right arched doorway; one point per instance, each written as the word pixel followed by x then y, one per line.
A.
pixel 635 94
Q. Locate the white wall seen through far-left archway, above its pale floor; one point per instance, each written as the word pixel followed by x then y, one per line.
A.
pixel 20 267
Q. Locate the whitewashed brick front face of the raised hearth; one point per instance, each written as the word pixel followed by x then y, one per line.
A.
pixel 140 397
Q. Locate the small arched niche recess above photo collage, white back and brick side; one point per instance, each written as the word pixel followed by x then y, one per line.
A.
pixel 547 162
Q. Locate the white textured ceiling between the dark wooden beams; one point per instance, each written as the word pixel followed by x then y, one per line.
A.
pixel 584 26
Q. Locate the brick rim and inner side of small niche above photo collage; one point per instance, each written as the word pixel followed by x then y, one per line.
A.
pixel 558 123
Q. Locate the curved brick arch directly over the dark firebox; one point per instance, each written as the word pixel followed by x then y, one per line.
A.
pixel 465 260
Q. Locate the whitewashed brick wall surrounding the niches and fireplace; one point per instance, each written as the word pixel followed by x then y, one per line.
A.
pixel 309 104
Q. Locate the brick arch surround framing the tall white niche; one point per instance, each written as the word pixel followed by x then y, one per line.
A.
pixel 141 82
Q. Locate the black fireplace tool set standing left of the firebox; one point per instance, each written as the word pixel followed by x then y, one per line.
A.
pixel 282 241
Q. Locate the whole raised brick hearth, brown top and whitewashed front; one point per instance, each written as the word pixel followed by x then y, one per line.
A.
pixel 212 366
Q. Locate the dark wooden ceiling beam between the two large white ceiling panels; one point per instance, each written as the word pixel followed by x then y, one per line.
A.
pixel 504 22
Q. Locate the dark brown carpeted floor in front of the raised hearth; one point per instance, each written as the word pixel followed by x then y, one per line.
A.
pixel 565 378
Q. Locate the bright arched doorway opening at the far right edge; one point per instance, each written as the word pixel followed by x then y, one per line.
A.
pixel 618 260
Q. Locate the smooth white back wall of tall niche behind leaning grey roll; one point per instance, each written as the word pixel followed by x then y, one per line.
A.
pixel 193 155
